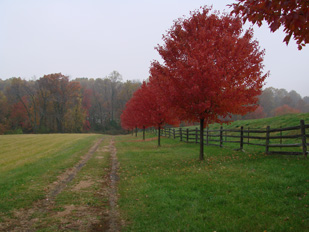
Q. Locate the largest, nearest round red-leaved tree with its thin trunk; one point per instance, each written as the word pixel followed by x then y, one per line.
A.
pixel 211 68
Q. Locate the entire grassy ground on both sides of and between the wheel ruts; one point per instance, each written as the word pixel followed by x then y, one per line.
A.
pixel 160 188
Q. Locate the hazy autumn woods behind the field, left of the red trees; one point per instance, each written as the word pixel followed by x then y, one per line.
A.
pixel 56 104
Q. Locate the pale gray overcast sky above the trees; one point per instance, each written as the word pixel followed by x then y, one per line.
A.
pixel 91 38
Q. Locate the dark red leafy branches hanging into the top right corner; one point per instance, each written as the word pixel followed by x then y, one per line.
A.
pixel 292 15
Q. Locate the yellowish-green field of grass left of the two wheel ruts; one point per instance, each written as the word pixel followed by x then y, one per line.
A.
pixel 28 163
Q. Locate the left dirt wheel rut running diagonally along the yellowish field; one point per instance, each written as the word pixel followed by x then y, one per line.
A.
pixel 23 219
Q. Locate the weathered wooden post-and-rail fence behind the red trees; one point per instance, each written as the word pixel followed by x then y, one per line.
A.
pixel 289 140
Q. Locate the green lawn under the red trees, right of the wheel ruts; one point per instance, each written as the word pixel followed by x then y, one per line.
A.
pixel 168 189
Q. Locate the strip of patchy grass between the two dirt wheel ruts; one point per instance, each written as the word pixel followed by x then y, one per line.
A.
pixel 89 203
